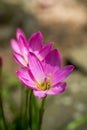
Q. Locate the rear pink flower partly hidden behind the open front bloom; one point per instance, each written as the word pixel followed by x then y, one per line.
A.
pixel 35 45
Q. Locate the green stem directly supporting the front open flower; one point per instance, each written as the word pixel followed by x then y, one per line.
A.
pixel 41 112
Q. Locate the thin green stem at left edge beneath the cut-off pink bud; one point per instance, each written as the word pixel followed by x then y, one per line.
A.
pixel 1 103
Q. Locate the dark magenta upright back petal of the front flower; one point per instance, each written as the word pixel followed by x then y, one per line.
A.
pixel 54 58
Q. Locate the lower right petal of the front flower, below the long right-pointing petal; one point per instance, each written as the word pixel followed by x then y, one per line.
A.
pixel 57 89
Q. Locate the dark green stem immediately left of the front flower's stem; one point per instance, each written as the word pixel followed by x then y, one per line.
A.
pixel 30 109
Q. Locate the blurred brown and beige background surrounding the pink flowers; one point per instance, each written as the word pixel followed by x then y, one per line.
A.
pixel 65 23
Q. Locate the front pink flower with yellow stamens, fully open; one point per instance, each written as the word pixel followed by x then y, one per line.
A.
pixel 47 77
